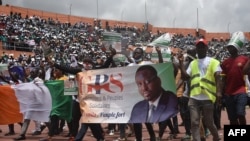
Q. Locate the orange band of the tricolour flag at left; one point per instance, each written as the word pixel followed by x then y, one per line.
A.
pixel 9 106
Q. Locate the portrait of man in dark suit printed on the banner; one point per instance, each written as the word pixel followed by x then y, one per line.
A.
pixel 164 102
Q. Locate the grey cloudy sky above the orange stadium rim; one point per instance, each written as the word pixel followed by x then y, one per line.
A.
pixel 210 15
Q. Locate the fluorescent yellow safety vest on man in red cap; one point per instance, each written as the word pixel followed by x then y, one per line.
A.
pixel 204 85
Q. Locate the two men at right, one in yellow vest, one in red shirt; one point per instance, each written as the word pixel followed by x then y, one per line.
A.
pixel 211 80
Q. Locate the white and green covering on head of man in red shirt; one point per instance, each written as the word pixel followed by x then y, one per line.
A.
pixel 237 40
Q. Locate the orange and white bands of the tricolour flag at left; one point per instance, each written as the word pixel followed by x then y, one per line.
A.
pixel 24 101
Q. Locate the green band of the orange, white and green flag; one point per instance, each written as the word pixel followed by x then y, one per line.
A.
pixel 61 104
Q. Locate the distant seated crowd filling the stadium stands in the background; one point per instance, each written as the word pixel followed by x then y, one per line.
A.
pixel 81 39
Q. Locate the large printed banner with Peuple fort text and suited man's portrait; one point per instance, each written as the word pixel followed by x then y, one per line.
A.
pixel 111 95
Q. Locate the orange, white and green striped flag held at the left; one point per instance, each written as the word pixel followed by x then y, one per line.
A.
pixel 34 101
